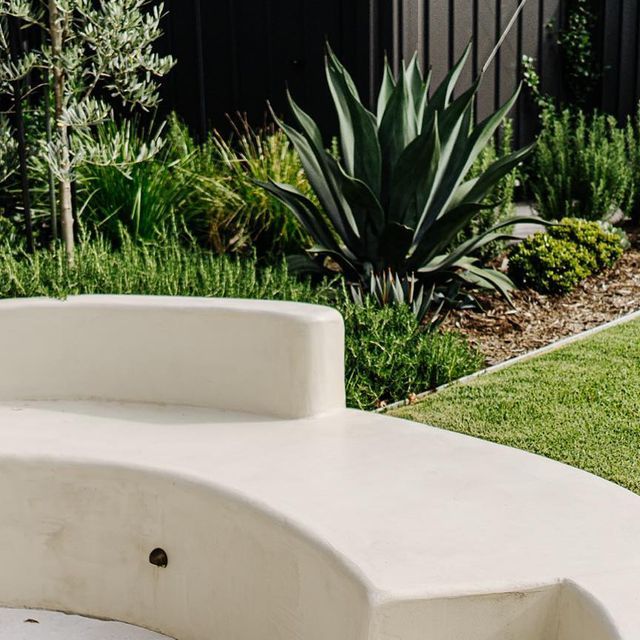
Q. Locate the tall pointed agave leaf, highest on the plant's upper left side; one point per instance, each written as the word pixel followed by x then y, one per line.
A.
pixel 358 130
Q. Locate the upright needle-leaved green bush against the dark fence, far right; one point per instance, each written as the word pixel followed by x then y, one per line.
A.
pixel 581 166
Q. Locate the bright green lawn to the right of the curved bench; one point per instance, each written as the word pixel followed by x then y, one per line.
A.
pixel 579 405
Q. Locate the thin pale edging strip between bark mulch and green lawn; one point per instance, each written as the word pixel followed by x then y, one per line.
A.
pixel 552 346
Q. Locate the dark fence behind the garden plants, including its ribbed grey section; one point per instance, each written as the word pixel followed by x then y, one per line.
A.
pixel 235 54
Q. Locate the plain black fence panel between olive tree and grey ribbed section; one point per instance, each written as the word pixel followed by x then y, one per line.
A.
pixel 235 56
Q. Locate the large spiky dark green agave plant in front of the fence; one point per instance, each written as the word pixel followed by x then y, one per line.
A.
pixel 394 204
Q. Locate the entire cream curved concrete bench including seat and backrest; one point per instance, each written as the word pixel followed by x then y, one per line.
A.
pixel 215 432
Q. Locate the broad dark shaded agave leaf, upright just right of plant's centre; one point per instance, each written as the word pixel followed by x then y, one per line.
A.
pixel 413 178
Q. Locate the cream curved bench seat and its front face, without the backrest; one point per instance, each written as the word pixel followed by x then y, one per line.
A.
pixel 338 525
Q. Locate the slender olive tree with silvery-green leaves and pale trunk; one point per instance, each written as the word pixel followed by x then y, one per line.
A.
pixel 90 56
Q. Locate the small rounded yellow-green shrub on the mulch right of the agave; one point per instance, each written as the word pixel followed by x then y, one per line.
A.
pixel 557 261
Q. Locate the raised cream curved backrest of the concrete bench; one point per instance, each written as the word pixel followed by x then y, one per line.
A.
pixel 276 359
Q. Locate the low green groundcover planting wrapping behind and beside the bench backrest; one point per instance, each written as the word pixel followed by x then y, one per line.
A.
pixel 386 356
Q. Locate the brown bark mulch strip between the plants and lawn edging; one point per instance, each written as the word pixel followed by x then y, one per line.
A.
pixel 502 332
